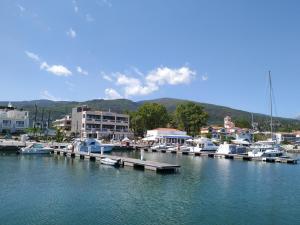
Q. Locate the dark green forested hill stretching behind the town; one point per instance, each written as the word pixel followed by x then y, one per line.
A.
pixel 216 113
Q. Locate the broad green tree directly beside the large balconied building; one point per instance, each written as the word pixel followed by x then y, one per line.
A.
pixel 148 116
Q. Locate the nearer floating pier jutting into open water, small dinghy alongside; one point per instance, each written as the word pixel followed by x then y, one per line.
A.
pixel 125 161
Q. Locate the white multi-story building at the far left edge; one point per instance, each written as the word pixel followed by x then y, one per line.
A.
pixel 13 120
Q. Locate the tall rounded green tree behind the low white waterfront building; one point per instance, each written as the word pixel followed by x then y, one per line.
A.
pixel 190 117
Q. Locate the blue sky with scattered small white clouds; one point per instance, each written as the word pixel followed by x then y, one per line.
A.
pixel 211 51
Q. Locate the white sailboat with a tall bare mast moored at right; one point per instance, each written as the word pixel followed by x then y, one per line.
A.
pixel 267 148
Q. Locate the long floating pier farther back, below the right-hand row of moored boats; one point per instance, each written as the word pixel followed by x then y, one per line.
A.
pixel 229 156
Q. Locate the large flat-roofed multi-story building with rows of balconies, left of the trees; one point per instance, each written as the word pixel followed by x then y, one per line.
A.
pixel 99 124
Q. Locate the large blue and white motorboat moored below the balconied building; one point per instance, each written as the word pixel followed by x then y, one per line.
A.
pixel 90 145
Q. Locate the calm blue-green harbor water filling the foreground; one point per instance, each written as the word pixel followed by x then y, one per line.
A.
pixel 58 190
